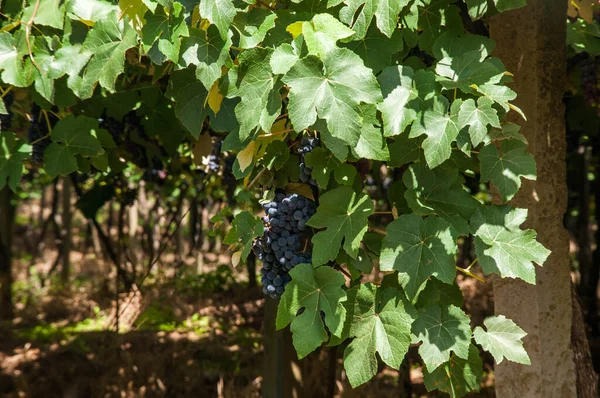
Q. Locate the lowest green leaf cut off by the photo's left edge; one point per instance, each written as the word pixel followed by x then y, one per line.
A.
pixel 13 152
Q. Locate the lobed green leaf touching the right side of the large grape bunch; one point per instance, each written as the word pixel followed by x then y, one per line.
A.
pixel 344 214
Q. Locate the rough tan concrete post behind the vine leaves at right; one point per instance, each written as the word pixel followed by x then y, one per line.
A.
pixel 531 43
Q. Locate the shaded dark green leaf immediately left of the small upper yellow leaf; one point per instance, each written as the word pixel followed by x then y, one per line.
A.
pixel 189 95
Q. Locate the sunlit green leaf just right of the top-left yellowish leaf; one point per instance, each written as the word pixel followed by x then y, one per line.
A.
pixel 166 29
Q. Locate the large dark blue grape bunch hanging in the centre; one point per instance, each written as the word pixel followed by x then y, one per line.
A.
pixel 280 248
